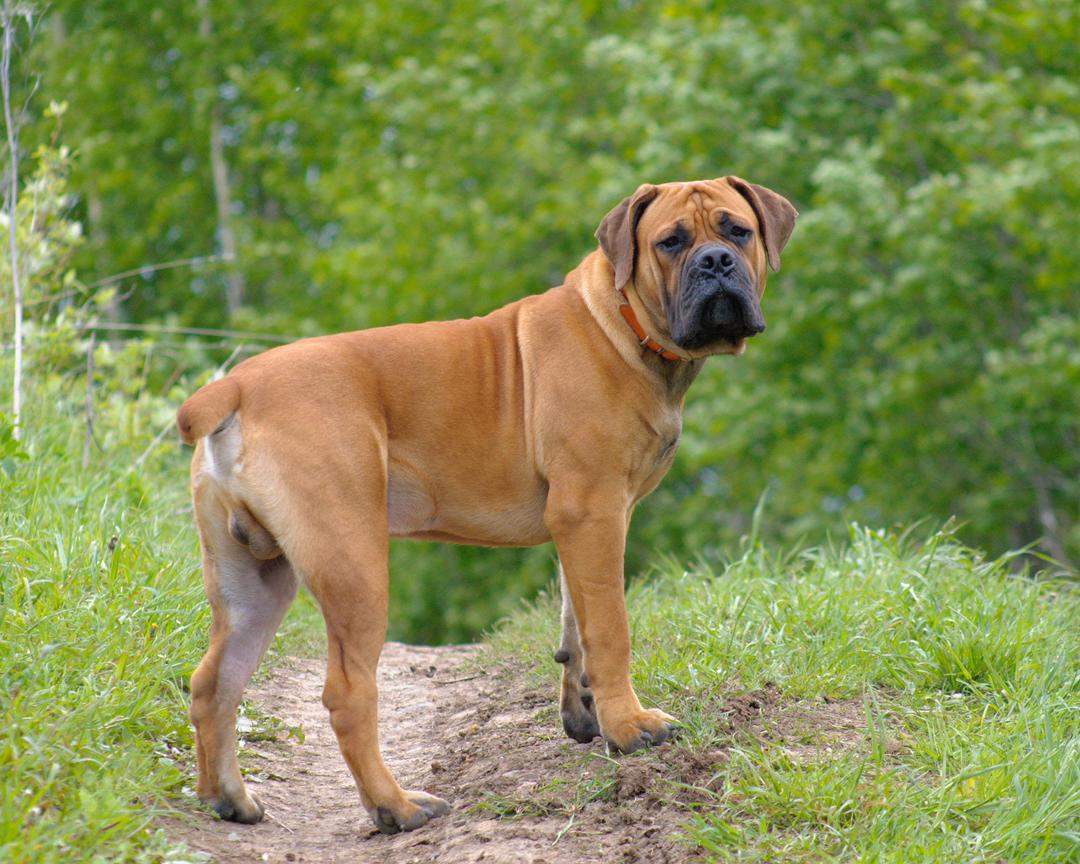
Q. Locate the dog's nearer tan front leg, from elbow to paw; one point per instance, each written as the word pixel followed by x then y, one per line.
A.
pixel 590 534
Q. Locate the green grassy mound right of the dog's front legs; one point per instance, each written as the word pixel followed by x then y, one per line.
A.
pixel 969 670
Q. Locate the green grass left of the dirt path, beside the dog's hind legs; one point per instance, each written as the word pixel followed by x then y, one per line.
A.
pixel 103 619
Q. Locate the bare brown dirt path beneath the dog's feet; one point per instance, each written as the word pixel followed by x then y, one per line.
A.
pixel 492 745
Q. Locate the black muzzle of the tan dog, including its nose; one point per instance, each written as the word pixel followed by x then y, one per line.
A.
pixel 718 300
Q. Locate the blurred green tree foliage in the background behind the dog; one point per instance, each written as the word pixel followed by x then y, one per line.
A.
pixel 394 163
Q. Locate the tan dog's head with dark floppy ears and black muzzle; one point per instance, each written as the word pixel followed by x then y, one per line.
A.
pixel 696 255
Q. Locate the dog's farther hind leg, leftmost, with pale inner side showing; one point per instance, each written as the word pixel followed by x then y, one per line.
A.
pixel 248 599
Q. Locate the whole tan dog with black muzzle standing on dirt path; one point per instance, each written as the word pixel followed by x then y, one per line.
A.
pixel 548 420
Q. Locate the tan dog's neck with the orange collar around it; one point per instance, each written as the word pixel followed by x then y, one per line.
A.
pixel 602 299
